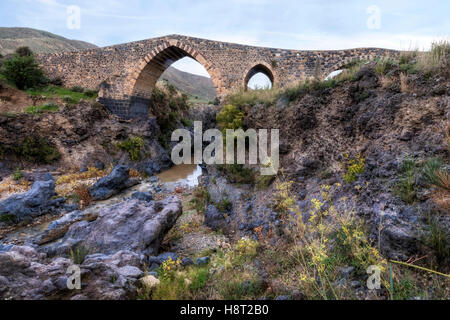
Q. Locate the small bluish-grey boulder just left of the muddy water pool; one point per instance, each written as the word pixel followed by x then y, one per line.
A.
pixel 116 181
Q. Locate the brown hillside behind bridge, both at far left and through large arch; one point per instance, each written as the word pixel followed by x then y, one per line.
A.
pixel 198 87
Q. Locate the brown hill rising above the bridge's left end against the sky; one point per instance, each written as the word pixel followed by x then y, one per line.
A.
pixel 38 41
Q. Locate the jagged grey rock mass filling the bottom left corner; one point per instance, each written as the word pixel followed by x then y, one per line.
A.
pixel 26 274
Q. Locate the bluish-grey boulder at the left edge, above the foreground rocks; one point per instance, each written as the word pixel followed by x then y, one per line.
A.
pixel 37 201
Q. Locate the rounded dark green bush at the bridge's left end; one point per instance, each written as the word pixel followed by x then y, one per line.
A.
pixel 23 71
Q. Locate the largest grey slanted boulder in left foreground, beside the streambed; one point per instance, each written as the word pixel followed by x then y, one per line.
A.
pixel 130 225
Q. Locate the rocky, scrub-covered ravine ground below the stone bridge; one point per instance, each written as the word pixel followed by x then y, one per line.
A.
pixel 363 183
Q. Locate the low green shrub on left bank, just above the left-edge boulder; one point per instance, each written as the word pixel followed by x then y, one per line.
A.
pixel 37 150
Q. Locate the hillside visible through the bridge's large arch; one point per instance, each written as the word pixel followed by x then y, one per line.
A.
pixel 198 87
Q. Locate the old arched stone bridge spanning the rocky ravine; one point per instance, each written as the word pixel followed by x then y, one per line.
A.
pixel 126 74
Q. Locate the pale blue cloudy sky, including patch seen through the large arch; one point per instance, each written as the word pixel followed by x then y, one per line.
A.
pixel 299 24
